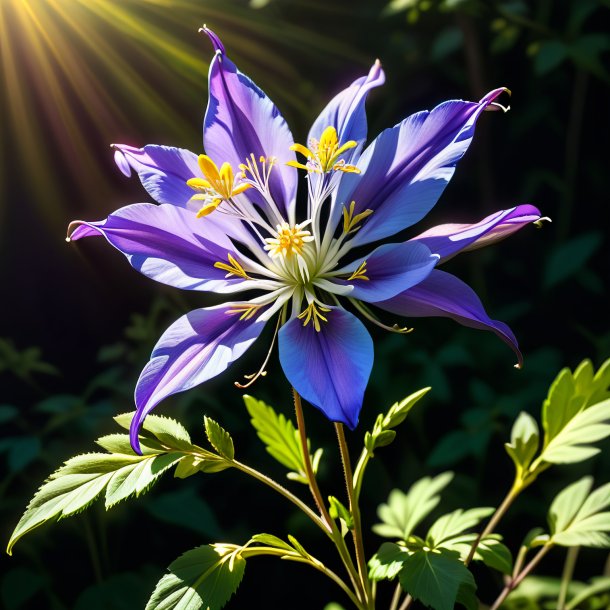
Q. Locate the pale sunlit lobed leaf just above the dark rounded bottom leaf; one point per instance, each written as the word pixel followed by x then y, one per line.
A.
pixel 404 512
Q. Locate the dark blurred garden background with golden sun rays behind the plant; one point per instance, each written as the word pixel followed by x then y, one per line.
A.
pixel 77 324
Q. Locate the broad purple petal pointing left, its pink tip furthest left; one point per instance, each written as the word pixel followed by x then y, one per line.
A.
pixel 168 244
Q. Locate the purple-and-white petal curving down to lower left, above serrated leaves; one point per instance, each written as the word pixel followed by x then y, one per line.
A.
pixel 195 348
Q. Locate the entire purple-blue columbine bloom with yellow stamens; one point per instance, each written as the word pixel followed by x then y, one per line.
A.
pixel 228 222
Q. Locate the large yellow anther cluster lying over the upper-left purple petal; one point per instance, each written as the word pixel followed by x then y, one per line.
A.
pixel 218 185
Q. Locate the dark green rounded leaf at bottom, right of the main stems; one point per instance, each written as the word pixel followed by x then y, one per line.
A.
pixel 434 578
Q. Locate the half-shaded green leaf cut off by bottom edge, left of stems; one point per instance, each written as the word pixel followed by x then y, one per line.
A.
pixel 205 577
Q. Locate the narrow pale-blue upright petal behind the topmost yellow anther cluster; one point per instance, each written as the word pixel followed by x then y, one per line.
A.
pixel 345 112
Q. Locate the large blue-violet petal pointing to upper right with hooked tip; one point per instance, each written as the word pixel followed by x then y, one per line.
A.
pixel 406 168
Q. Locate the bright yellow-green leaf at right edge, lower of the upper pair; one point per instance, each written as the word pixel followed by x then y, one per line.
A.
pixel 572 443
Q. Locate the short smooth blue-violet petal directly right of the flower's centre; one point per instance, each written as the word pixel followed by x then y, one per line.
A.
pixel 390 269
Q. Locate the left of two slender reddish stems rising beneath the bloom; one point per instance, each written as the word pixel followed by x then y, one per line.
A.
pixel 329 524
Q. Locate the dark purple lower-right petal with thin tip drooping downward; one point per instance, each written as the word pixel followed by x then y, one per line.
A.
pixel 444 295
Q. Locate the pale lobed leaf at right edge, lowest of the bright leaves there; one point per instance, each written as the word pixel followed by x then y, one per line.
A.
pixel 577 517
